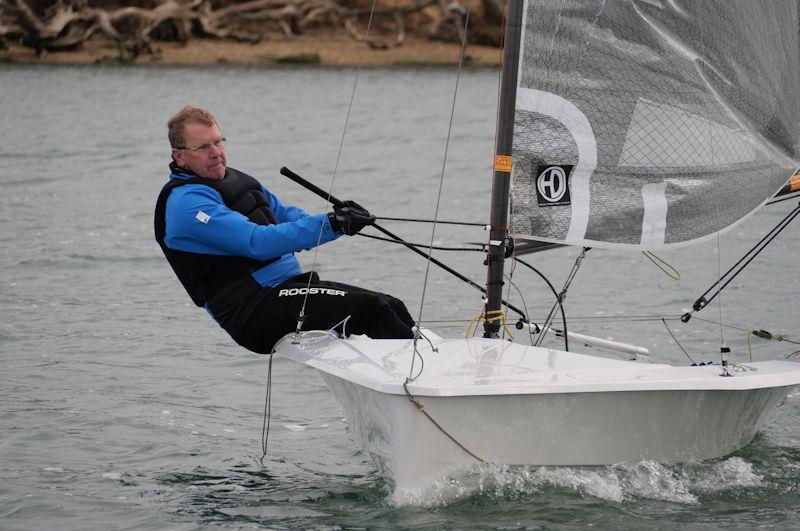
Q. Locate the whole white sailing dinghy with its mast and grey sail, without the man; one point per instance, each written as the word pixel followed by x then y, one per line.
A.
pixel 627 124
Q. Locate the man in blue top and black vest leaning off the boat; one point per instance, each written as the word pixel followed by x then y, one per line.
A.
pixel 231 244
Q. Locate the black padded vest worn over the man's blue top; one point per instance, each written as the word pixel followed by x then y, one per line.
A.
pixel 206 275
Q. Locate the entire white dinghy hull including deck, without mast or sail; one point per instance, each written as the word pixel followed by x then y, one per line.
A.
pixel 643 413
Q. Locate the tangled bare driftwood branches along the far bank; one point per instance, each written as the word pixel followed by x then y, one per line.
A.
pixel 68 24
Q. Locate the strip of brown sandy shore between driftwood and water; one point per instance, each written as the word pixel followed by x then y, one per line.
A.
pixel 308 50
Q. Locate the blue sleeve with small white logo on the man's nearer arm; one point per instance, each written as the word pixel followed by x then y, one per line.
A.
pixel 199 222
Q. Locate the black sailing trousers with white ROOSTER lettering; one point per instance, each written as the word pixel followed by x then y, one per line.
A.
pixel 328 304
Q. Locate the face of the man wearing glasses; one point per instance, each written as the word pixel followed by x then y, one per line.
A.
pixel 203 151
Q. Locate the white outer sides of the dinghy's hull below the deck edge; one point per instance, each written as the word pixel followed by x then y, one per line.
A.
pixel 557 429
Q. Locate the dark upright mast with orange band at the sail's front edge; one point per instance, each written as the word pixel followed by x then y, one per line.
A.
pixel 502 166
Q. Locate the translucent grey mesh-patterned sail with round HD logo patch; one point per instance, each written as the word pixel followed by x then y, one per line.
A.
pixel 646 124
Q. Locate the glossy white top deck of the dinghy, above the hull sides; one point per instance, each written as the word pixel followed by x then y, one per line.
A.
pixel 477 366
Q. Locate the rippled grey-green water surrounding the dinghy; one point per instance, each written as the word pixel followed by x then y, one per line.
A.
pixel 123 406
